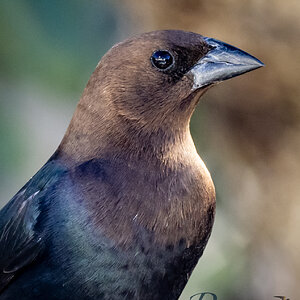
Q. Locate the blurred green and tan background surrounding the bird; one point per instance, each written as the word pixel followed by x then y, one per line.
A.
pixel 247 130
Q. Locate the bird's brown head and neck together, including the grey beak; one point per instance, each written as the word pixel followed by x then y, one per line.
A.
pixel 144 91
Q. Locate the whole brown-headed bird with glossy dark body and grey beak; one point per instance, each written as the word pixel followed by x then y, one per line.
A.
pixel 125 206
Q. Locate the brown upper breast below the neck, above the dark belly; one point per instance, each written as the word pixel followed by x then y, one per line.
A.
pixel 129 202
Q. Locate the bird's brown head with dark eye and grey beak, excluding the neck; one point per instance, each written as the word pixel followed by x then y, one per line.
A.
pixel 152 82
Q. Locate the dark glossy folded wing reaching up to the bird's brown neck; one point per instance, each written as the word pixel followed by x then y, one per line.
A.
pixel 20 241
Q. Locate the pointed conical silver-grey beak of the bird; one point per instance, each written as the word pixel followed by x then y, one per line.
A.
pixel 222 62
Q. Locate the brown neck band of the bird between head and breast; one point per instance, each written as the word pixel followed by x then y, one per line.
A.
pixel 97 135
